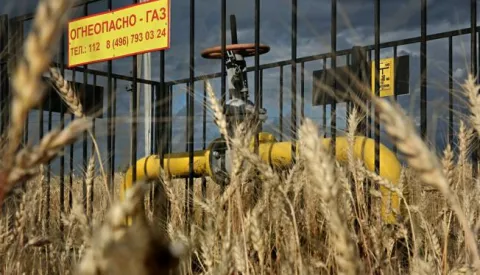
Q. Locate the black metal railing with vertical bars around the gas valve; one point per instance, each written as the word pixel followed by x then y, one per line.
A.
pixel 164 90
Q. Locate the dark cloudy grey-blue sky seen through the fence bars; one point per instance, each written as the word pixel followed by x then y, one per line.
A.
pixel 355 26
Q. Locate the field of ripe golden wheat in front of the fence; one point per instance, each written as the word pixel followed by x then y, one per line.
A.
pixel 311 219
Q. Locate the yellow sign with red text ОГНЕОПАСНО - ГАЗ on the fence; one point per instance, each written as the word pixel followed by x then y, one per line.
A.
pixel 131 30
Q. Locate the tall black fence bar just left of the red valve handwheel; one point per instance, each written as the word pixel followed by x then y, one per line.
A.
pixel 191 110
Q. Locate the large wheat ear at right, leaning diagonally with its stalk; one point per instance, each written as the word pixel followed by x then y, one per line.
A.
pixel 400 129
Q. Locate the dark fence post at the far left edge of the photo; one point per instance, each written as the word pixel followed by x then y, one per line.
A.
pixel 4 83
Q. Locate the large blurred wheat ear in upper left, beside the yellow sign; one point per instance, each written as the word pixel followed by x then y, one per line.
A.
pixel 28 89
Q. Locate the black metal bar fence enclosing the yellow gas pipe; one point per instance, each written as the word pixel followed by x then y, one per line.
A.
pixel 115 85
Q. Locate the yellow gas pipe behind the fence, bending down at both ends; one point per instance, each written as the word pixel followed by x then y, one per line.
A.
pixel 278 154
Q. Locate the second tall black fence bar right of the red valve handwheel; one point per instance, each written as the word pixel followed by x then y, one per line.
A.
pixel 333 109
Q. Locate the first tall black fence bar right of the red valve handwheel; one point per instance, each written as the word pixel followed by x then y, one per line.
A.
pixel 294 78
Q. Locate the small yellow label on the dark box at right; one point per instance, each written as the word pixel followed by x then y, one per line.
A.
pixel 386 79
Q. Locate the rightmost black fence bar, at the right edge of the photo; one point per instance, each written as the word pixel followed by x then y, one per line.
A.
pixel 473 55
